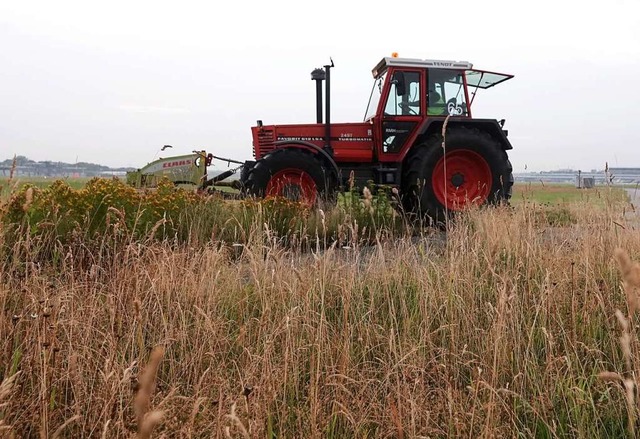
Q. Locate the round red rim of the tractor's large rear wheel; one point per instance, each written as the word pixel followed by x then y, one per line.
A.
pixel 467 180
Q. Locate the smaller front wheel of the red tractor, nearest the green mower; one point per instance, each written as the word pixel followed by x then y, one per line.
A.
pixel 309 168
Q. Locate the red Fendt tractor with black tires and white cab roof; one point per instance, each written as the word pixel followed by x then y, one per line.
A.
pixel 399 143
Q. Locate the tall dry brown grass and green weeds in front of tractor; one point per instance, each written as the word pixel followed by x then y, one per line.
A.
pixel 166 315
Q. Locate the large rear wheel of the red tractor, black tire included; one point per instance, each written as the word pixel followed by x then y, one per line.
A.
pixel 479 165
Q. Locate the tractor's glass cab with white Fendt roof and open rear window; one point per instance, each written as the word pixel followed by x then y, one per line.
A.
pixel 410 95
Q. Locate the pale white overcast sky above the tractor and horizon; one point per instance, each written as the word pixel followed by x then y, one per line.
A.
pixel 112 82
